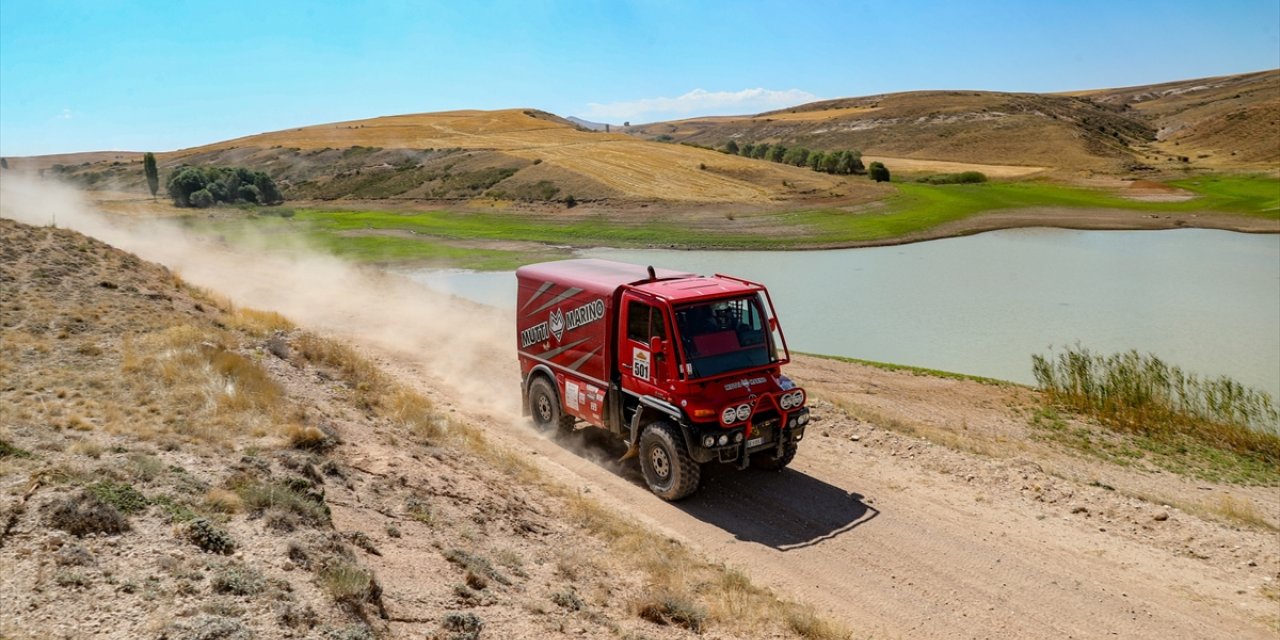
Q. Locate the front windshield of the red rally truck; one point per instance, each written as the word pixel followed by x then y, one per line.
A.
pixel 725 336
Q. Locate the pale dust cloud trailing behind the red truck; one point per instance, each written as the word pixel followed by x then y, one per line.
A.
pixel 467 346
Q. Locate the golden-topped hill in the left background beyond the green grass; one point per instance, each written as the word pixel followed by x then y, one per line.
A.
pixel 497 157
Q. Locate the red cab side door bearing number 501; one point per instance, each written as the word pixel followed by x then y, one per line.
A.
pixel 643 371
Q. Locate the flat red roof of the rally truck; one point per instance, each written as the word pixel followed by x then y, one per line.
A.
pixel 606 276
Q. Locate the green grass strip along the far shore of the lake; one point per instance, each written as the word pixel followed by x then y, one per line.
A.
pixel 467 240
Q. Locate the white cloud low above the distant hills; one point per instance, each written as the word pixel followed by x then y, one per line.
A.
pixel 698 103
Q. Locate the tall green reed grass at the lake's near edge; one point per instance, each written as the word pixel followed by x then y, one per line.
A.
pixel 1141 394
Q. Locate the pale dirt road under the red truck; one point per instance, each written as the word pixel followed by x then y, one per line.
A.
pixel 906 540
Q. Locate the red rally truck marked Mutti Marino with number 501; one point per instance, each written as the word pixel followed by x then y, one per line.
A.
pixel 685 369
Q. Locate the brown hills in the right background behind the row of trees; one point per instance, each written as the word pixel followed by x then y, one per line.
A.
pixel 1228 122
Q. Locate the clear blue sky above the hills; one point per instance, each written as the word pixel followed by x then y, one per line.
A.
pixel 159 76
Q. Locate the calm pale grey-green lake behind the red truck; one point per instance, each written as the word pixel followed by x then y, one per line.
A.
pixel 1205 300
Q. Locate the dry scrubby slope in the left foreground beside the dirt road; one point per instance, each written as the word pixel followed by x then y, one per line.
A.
pixel 172 467
